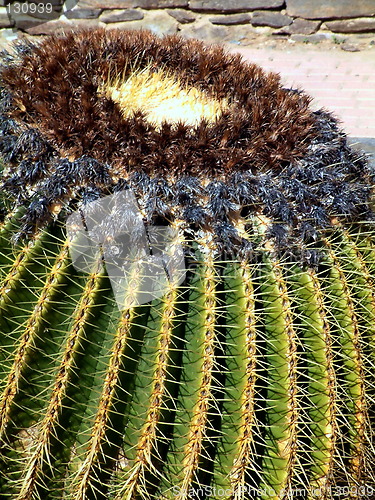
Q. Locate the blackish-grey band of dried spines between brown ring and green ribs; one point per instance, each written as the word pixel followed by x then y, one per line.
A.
pixel 299 202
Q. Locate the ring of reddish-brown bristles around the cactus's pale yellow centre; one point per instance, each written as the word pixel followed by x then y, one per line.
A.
pixel 55 88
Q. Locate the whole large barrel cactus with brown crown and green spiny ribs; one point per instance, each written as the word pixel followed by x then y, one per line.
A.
pixel 251 375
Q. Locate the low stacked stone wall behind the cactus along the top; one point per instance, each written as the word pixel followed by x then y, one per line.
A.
pixel 236 21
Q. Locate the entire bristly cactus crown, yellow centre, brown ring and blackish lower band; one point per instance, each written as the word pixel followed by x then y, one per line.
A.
pixel 200 135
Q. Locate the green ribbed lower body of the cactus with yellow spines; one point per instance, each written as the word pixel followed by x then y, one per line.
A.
pixel 255 376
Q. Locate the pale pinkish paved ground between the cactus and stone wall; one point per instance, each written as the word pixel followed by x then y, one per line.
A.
pixel 343 82
